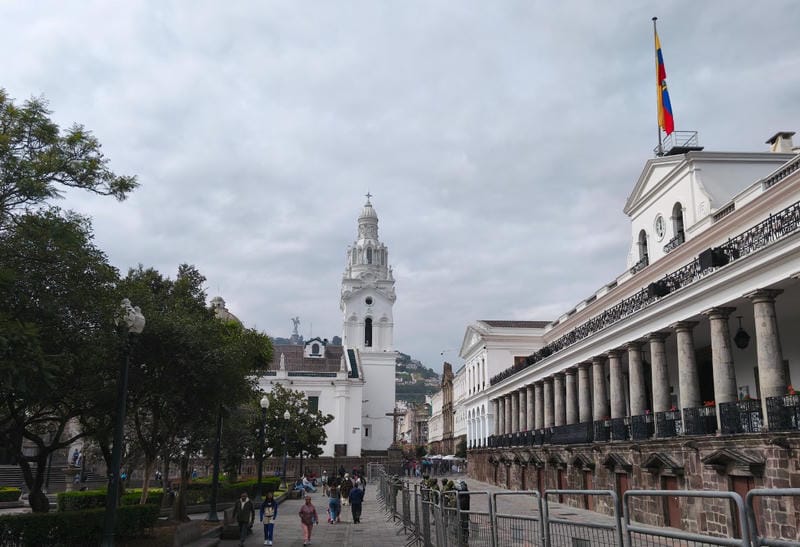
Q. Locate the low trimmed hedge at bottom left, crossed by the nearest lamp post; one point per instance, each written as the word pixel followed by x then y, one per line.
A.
pixel 74 528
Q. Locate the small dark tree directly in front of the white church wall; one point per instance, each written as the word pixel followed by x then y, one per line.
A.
pixel 305 430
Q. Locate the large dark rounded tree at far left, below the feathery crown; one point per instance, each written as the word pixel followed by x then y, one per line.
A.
pixel 57 339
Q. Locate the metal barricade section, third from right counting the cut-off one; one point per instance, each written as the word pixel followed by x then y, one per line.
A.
pixel 573 533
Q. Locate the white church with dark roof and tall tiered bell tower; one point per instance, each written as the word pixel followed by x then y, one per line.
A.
pixel 353 381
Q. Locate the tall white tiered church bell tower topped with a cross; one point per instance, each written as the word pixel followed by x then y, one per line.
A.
pixel 366 302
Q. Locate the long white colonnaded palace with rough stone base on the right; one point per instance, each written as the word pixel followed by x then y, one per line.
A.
pixel 676 375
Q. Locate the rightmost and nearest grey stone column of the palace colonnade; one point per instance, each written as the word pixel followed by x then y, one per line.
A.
pixel 771 376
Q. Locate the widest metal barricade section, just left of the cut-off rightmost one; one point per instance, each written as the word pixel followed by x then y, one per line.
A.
pixel 637 534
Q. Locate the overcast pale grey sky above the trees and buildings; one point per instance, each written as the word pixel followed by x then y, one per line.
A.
pixel 499 140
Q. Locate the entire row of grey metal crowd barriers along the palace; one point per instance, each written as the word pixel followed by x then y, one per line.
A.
pixel 431 518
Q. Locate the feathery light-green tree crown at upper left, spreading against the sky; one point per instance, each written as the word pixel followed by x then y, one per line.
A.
pixel 37 160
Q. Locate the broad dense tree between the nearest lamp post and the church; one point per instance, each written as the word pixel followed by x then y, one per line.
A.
pixel 186 364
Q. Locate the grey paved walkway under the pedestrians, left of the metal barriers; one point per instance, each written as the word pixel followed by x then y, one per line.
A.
pixel 374 530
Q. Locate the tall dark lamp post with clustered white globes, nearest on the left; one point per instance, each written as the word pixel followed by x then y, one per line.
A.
pixel 132 321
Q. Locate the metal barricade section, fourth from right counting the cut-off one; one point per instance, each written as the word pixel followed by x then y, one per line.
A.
pixel 518 529
